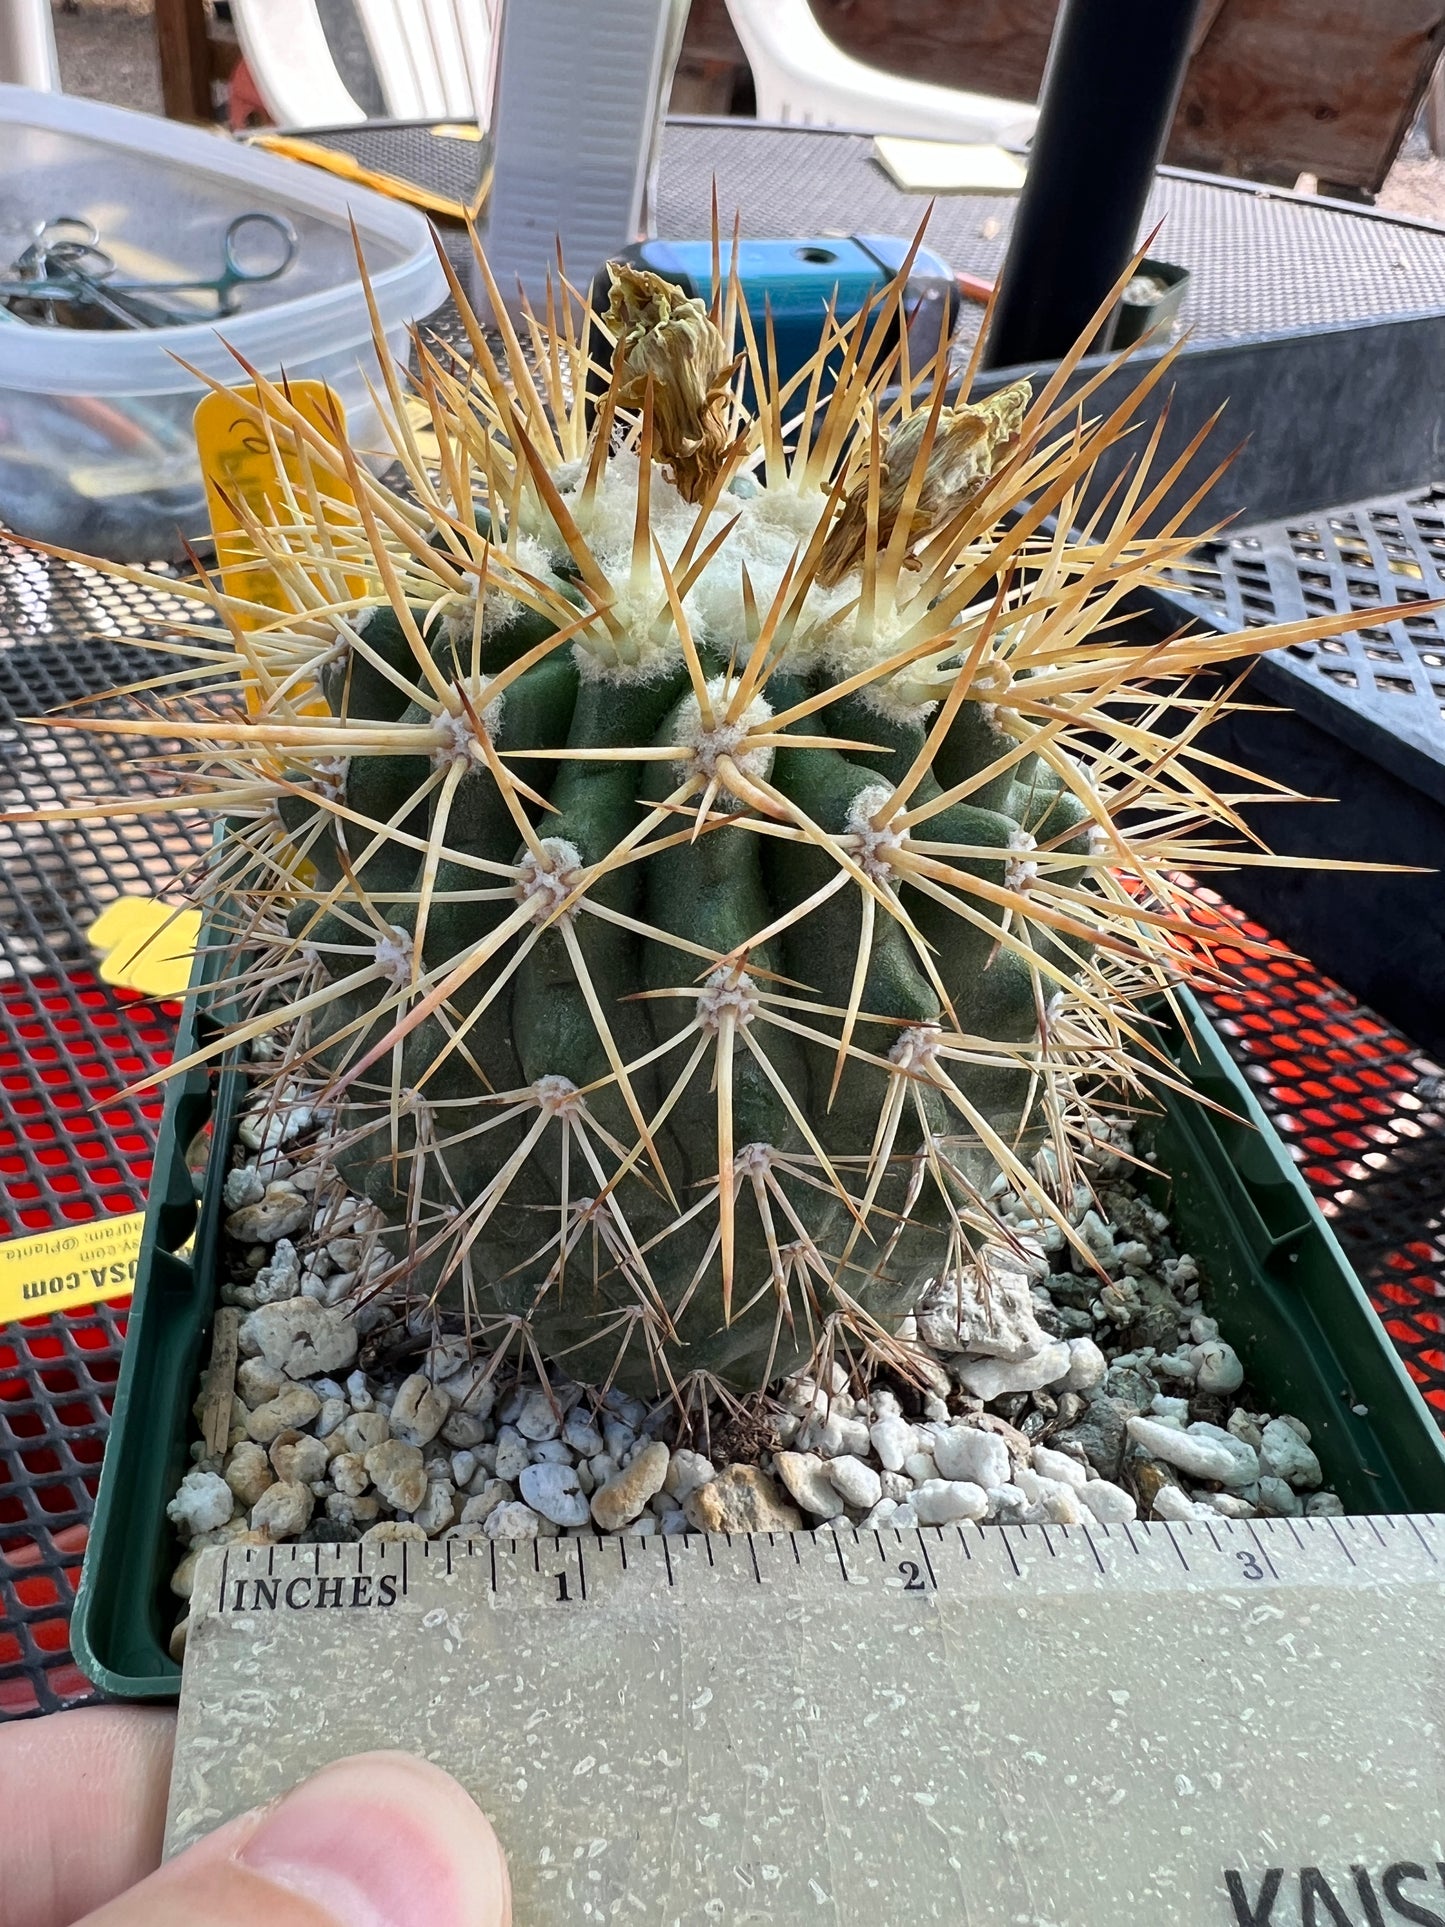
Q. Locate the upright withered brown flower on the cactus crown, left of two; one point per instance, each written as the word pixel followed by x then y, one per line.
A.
pixel 670 336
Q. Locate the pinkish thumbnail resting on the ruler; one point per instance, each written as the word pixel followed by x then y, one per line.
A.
pixel 384 1841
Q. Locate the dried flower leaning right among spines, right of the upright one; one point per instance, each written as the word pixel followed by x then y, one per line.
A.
pixel 964 452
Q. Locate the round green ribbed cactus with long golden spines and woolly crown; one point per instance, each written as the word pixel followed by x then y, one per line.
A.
pixel 698 853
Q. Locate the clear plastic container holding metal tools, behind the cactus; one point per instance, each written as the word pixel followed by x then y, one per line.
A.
pixel 95 427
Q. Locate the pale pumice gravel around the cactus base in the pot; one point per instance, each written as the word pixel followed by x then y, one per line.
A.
pixel 1039 1394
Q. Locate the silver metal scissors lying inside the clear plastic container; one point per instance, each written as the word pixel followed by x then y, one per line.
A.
pixel 65 263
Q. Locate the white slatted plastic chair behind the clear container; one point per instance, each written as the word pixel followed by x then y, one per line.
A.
pixel 433 59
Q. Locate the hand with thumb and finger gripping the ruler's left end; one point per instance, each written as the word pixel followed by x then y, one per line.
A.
pixel 379 1841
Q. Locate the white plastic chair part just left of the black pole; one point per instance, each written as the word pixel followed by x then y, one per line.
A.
pixel 801 76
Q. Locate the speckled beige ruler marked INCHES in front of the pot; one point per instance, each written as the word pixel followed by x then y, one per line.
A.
pixel 1230 1724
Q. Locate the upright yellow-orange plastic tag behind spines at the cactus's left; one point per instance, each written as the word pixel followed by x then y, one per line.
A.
pixel 240 471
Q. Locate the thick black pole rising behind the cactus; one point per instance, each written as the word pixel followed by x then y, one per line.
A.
pixel 1105 113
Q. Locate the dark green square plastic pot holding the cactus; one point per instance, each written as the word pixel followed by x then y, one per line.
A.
pixel 1276 1280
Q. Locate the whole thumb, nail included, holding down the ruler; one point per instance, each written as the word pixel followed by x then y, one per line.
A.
pixel 377 1841
